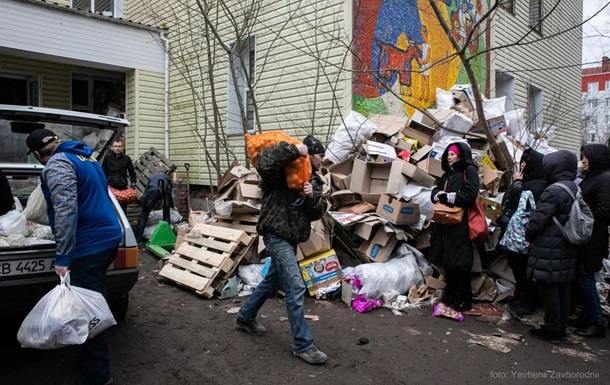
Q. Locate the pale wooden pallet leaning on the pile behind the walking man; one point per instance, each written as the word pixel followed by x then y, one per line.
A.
pixel 204 263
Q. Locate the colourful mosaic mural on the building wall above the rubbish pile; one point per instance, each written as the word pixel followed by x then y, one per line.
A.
pixel 402 53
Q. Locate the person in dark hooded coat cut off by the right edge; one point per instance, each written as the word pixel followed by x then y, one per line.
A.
pixel 596 193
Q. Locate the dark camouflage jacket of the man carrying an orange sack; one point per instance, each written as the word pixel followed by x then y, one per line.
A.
pixel 285 212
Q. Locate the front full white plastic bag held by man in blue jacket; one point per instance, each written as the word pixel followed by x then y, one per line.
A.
pixel 57 320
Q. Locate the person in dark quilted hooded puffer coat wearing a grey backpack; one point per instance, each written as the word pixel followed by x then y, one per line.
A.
pixel 552 259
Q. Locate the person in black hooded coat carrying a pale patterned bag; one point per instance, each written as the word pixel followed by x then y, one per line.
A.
pixel 529 177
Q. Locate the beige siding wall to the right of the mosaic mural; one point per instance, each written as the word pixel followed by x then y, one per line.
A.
pixel 551 63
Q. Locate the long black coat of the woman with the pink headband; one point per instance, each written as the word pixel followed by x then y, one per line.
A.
pixel 450 246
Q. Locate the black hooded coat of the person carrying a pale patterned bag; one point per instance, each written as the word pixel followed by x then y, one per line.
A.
pixel 533 180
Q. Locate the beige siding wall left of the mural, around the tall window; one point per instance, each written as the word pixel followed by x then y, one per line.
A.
pixel 301 77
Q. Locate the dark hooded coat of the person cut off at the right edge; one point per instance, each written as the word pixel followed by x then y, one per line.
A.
pixel 596 193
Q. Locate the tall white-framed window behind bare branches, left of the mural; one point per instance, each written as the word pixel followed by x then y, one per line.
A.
pixel 239 89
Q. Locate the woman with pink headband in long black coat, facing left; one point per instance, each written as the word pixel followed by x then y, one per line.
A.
pixel 451 247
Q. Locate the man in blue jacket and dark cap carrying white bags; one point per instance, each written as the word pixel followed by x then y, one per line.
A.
pixel 85 225
